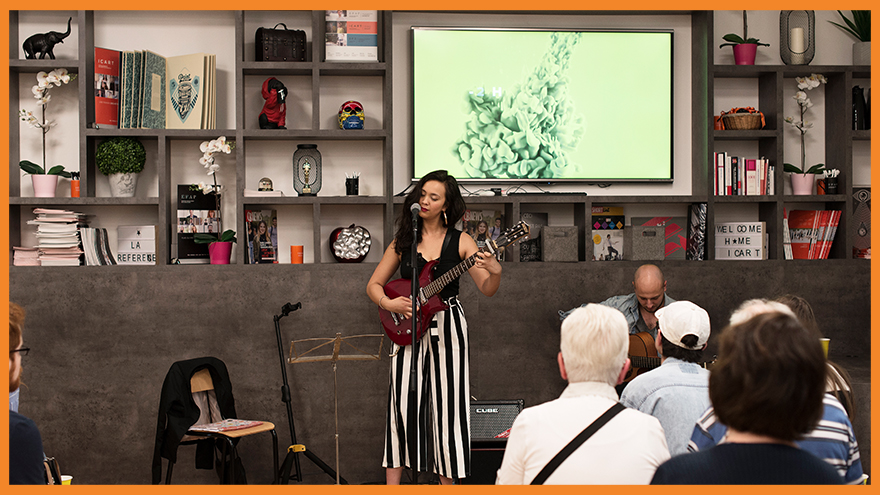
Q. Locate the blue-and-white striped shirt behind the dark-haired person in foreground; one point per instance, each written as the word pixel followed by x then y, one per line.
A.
pixel 833 439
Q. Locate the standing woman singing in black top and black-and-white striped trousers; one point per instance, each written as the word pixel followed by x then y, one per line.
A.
pixel 442 361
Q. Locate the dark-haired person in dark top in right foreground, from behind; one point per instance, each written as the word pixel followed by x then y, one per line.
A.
pixel 767 386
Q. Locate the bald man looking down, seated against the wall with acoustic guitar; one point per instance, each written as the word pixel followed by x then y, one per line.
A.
pixel 639 307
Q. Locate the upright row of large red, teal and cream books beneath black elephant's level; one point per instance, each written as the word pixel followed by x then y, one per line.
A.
pixel 144 90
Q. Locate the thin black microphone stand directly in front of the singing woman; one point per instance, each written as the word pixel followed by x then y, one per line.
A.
pixel 412 415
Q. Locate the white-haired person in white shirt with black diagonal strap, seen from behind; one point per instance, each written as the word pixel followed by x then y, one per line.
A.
pixel 592 358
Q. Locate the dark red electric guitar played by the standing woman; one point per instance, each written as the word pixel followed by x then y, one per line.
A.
pixel 398 327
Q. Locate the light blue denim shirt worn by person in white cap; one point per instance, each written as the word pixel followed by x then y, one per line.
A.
pixel 676 393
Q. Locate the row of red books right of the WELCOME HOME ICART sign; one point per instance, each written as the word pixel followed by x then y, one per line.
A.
pixel 812 233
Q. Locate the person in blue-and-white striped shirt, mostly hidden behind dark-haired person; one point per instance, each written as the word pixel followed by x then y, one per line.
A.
pixel 833 441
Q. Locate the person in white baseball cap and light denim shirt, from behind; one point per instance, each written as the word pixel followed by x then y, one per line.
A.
pixel 677 392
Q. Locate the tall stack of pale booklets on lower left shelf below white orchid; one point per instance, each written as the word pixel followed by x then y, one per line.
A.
pixel 58 236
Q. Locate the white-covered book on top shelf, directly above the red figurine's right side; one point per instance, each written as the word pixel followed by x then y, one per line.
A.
pixel 351 35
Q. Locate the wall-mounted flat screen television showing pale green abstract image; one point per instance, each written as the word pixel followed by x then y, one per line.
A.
pixel 543 106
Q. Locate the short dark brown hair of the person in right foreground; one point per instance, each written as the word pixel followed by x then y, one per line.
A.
pixel 769 378
